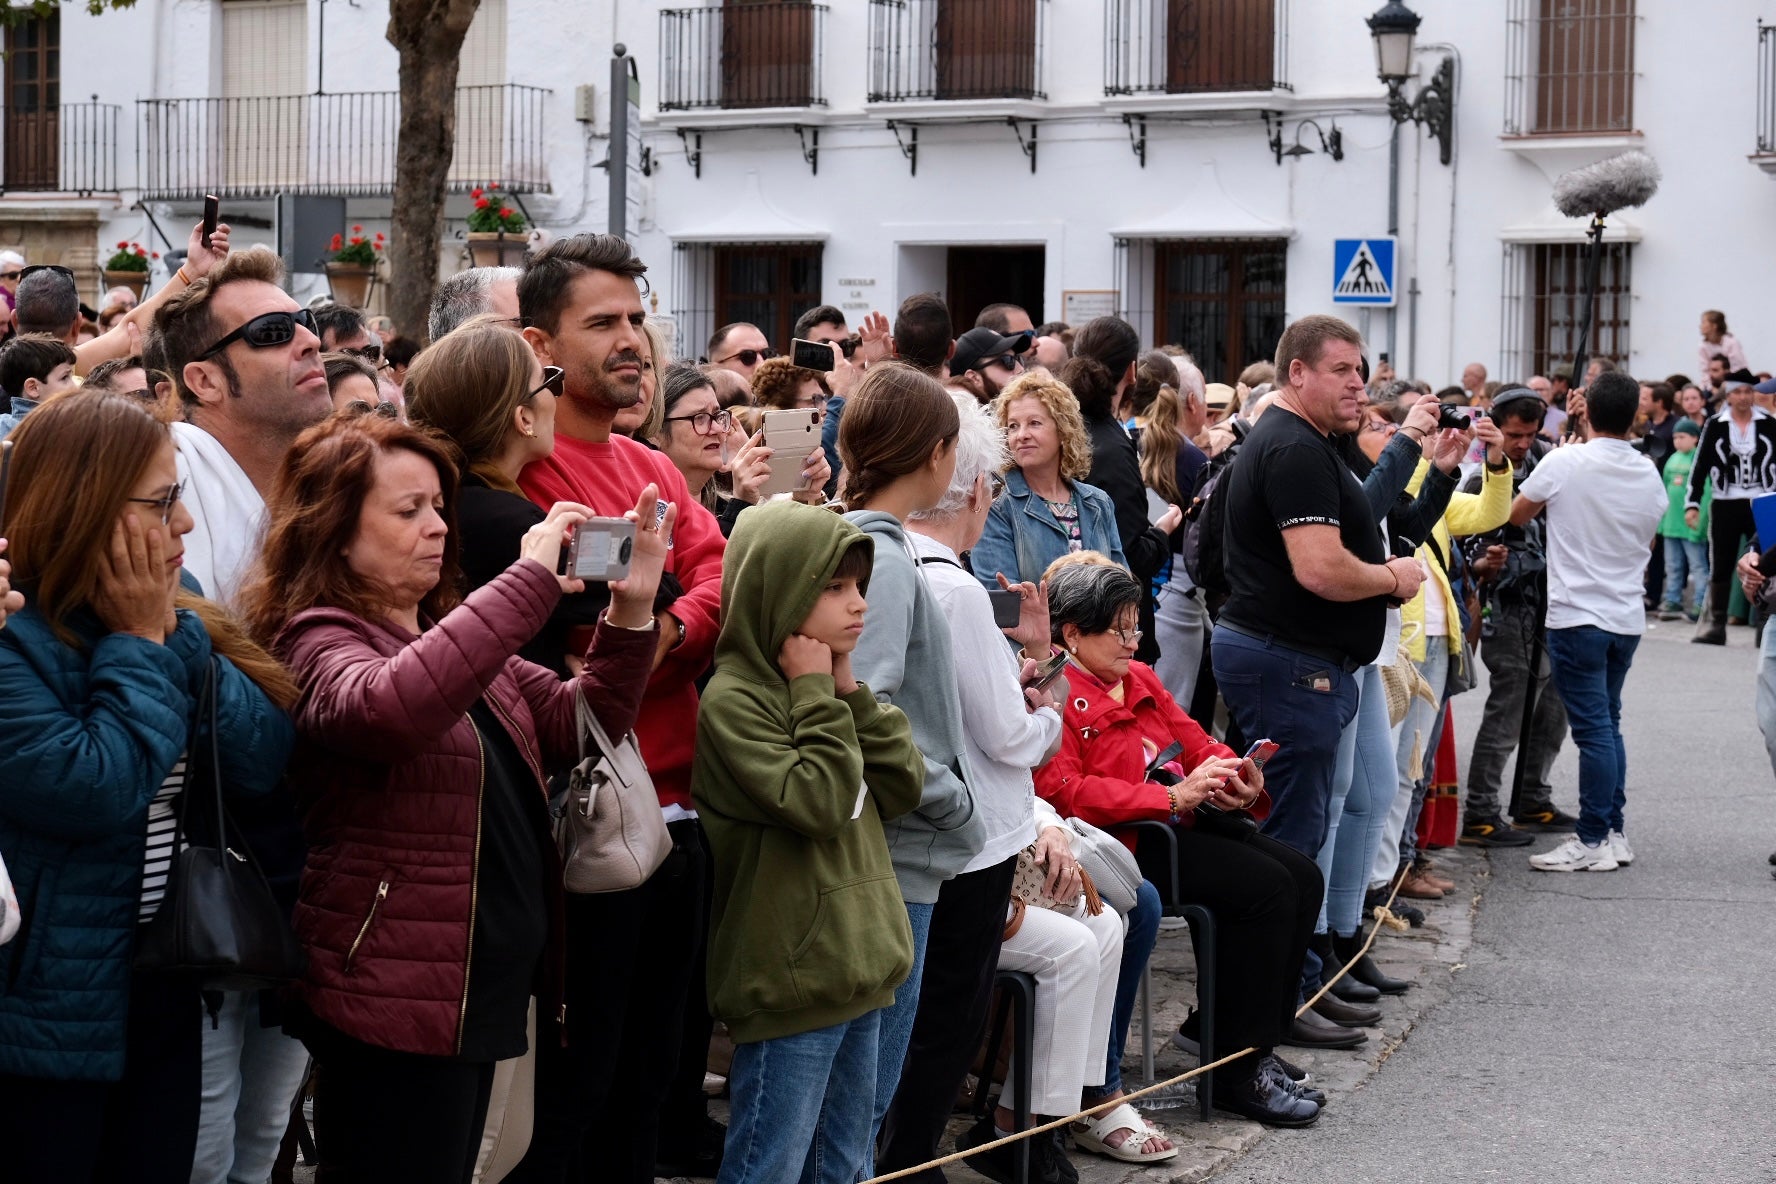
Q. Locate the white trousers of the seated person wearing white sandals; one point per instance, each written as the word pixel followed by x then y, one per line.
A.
pixel 1075 959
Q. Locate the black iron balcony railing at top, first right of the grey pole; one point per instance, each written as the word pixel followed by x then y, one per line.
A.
pixel 743 56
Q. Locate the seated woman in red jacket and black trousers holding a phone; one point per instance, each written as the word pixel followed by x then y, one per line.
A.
pixel 1130 754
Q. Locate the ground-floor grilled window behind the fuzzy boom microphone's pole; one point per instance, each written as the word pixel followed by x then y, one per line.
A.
pixel 1544 299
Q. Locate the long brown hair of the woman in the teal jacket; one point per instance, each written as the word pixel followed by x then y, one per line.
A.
pixel 75 461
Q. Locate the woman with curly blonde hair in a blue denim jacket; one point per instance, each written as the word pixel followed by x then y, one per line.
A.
pixel 1047 509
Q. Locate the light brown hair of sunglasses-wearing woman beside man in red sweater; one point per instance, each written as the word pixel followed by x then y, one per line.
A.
pixel 466 388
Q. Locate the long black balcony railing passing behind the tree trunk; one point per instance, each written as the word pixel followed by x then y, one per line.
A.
pixel 329 145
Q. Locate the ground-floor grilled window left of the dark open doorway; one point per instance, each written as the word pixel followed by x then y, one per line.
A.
pixel 766 285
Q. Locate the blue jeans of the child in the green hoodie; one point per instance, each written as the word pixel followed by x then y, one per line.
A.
pixel 802 1107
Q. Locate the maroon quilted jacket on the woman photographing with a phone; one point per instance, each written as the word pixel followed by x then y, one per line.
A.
pixel 388 770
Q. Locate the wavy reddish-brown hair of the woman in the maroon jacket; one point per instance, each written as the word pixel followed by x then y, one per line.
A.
pixel 313 514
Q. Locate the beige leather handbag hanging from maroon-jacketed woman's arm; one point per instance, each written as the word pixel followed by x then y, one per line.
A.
pixel 610 832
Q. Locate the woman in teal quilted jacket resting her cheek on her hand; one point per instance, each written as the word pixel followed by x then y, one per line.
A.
pixel 102 675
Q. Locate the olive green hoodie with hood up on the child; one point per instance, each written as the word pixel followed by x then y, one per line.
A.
pixel 809 927
